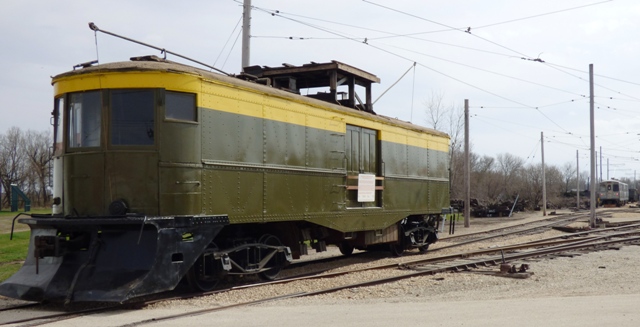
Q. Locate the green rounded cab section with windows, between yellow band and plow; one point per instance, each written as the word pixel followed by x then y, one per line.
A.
pixel 108 145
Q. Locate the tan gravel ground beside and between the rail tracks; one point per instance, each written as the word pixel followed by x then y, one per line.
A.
pixel 592 289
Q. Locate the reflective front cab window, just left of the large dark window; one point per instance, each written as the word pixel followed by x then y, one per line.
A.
pixel 84 120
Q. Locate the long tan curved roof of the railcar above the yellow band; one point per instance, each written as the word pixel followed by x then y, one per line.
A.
pixel 153 63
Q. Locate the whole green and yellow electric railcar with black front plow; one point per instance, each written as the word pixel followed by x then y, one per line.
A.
pixel 164 171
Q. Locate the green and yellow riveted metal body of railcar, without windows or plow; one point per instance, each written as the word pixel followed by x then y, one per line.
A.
pixel 253 152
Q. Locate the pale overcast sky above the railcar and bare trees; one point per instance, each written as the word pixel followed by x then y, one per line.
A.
pixel 523 65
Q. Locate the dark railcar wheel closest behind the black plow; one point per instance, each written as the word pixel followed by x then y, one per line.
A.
pixel 205 273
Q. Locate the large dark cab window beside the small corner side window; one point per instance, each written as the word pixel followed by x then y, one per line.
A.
pixel 132 117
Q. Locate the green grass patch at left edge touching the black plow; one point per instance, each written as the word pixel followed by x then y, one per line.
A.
pixel 12 253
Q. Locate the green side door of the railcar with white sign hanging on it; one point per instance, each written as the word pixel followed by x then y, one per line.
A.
pixel 362 152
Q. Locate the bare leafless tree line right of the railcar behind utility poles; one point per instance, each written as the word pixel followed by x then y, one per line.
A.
pixel 506 177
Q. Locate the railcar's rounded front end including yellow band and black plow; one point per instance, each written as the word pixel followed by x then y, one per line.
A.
pixel 124 224
